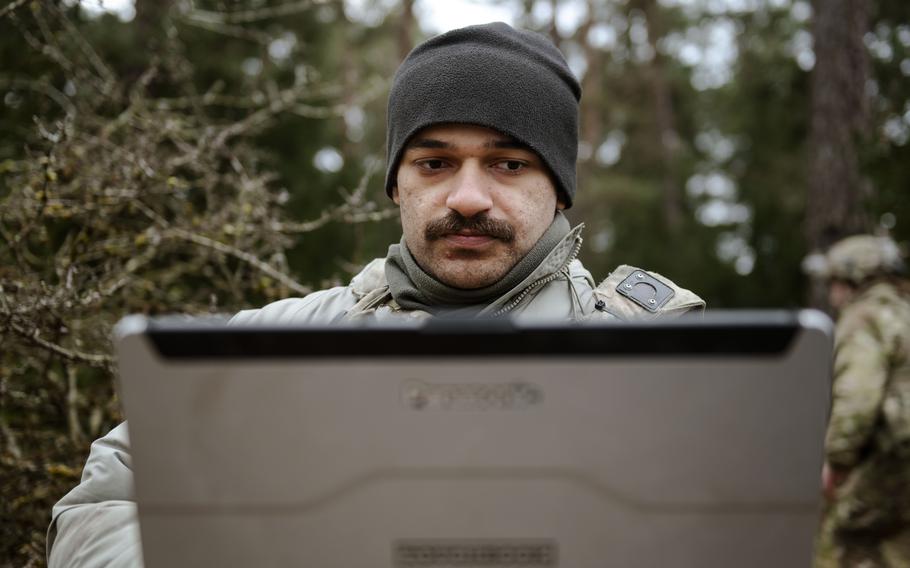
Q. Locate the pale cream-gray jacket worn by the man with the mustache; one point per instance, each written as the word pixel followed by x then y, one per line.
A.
pixel 95 524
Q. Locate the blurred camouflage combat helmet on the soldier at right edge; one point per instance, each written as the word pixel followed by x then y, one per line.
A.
pixel 858 258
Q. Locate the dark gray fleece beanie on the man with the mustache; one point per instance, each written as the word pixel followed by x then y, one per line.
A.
pixel 513 81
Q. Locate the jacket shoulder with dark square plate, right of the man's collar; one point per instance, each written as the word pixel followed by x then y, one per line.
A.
pixel 630 293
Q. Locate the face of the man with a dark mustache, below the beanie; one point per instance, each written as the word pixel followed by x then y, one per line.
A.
pixel 473 202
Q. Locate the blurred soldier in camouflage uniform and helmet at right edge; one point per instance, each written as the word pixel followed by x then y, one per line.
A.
pixel 867 469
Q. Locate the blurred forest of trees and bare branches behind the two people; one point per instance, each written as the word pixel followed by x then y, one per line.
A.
pixel 197 157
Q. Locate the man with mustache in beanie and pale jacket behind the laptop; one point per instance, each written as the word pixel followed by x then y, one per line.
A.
pixel 482 142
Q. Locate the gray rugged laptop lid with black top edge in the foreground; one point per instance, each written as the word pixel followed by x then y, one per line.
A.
pixel 685 443
